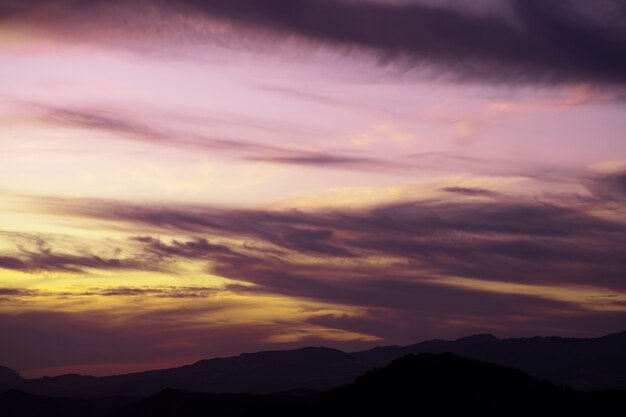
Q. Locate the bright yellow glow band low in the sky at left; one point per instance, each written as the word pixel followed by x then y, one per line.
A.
pixel 91 297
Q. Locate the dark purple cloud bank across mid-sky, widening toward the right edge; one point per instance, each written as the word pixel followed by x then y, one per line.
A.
pixel 500 239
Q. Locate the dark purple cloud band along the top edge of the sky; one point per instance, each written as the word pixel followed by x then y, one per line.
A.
pixel 535 41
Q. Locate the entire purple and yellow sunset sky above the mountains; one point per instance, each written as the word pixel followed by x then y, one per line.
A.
pixel 201 178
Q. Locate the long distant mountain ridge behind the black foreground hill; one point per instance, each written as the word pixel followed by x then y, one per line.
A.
pixel 586 364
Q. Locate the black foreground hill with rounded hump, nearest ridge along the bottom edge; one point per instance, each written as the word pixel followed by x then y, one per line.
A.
pixel 425 384
